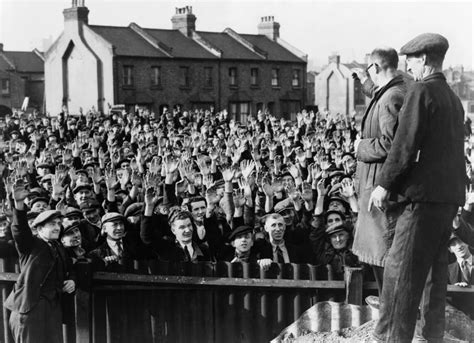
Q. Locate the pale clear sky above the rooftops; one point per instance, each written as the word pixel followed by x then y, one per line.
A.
pixel 319 28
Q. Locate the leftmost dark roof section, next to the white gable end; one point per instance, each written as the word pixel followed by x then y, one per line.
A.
pixel 126 41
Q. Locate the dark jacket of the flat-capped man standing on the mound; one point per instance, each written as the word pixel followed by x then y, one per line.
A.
pixel 426 160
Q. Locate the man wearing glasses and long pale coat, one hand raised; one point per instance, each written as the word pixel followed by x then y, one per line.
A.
pixel 387 88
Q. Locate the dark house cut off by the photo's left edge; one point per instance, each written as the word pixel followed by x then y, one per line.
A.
pixel 21 75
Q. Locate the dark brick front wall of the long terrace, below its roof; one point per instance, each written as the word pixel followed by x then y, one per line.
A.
pixel 172 93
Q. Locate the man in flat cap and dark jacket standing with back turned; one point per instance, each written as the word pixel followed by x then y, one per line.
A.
pixel 425 171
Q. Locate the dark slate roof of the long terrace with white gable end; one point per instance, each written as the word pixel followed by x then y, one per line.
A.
pixel 129 43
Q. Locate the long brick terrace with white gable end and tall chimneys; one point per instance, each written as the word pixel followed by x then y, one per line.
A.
pixel 158 68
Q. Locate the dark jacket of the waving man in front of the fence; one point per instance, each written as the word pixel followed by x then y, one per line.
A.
pixel 36 263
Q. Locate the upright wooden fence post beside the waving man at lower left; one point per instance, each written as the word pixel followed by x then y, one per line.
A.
pixel 83 302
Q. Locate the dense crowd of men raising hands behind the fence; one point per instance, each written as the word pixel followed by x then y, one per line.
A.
pixel 189 186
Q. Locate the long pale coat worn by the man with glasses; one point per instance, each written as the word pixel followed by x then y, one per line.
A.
pixel 374 229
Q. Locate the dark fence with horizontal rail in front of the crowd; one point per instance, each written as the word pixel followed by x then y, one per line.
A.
pixel 182 302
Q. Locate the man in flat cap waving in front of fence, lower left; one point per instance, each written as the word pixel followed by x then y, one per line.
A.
pixel 46 274
